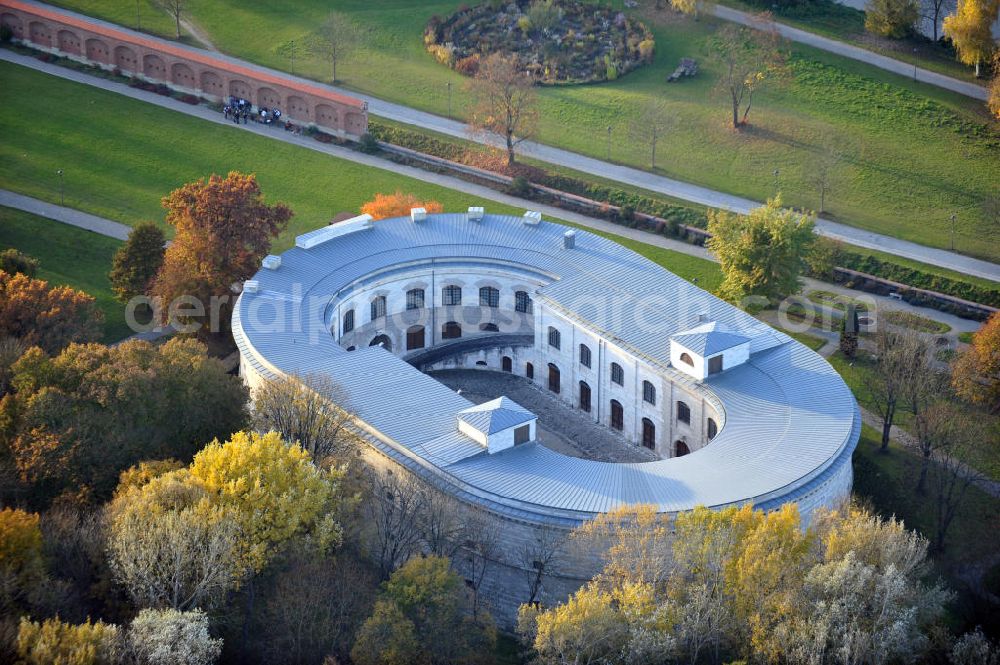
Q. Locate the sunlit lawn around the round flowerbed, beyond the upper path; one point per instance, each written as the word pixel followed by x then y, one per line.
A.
pixel 912 154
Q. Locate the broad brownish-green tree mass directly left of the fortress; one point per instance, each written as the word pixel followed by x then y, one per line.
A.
pixel 82 417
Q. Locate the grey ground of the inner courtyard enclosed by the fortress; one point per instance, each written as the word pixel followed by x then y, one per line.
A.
pixel 560 427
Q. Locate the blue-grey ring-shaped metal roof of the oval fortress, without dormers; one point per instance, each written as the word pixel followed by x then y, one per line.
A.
pixel 788 416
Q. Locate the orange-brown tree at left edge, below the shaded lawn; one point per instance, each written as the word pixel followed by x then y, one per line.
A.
pixel 47 316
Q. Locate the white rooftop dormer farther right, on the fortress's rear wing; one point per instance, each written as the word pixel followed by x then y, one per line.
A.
pixel 708 349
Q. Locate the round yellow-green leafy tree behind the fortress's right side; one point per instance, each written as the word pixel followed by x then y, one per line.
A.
pixel 763 253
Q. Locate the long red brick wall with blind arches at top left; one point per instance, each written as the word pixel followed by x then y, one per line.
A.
pixel 180 67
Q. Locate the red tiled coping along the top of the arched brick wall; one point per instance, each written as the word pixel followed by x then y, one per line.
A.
pixel 184 52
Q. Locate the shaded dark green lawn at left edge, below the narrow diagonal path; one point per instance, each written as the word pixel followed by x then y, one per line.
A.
pixel 69 256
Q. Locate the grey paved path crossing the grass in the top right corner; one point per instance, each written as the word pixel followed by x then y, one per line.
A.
pixel 860 54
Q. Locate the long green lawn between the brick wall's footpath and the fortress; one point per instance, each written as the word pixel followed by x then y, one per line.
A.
pixel 120 156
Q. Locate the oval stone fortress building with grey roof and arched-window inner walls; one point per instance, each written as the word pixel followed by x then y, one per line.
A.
pixel 733 411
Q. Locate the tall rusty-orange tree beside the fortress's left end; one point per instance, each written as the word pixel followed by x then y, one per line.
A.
pixel 223 230
